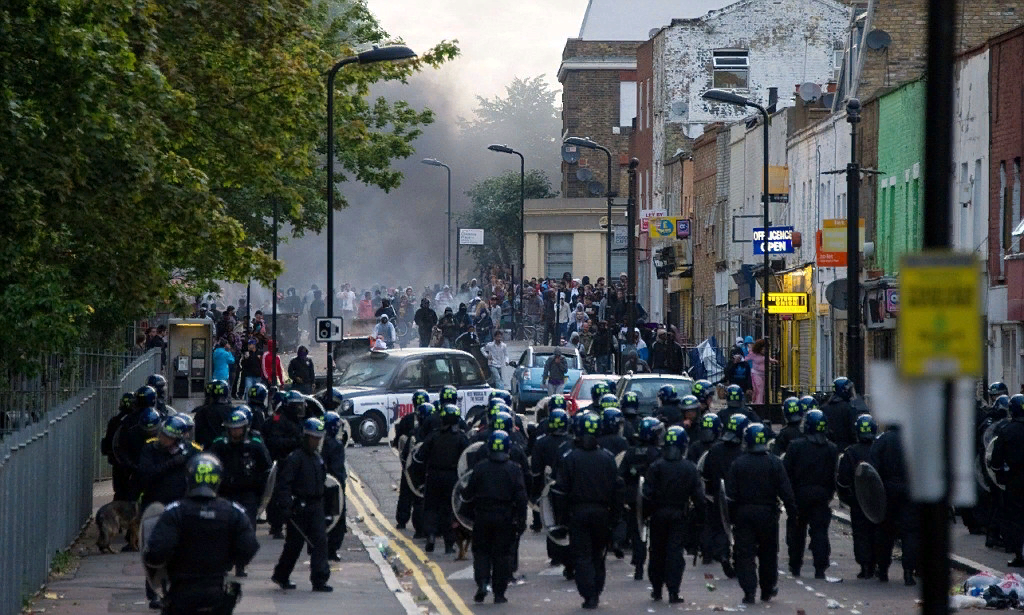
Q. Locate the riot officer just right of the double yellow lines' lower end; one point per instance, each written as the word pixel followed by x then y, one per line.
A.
pixel 497 496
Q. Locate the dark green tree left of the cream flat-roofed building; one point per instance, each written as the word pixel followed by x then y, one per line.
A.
pixel 495 208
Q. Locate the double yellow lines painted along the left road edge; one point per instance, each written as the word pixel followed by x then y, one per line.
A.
pixel 403 547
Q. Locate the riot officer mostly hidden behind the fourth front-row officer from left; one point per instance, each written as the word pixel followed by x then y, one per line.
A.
pixel 716 469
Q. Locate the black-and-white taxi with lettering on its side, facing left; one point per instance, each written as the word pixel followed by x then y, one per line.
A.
pixel 377 388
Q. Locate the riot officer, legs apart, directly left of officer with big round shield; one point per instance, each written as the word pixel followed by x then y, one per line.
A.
pixel 810 464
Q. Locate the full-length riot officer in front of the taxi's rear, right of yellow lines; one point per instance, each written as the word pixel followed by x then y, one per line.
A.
pixel 440 455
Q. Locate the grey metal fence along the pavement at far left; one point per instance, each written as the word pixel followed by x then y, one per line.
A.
pixel 50 459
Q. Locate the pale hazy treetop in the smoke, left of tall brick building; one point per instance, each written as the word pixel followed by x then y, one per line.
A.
pixel 526 119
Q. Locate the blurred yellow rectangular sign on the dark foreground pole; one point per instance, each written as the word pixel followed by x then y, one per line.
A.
pixel 941 316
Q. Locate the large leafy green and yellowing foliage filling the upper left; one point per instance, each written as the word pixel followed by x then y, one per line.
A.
pixel 145 143
